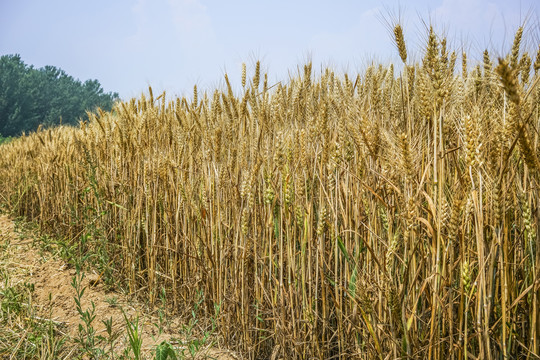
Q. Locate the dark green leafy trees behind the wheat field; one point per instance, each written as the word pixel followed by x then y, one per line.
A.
pixel 47 96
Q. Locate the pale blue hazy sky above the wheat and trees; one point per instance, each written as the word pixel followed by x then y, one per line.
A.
pixel 173 45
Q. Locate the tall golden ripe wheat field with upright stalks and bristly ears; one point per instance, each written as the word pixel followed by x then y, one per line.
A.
pixel 390 214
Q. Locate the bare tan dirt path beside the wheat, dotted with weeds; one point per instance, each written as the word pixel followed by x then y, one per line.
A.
pixel 53 297
